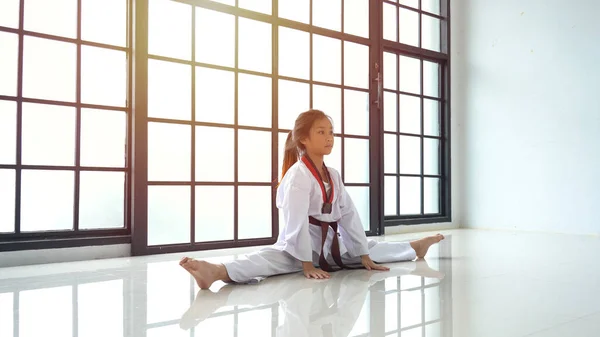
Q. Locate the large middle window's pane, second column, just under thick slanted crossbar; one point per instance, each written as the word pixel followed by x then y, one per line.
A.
pixel 215 37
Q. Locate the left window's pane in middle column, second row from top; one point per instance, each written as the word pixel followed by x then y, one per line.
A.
pixel 49 69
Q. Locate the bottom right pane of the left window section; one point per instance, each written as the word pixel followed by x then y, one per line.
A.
pixel 101 200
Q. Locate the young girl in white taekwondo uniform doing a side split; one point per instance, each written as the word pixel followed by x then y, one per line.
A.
pixel 322 226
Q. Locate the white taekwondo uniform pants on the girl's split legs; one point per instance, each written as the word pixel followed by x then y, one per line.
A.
pixel 272 261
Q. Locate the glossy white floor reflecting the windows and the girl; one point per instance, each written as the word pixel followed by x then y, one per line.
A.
pixel 495 284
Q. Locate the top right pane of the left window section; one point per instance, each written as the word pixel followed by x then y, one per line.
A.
pixel 104 21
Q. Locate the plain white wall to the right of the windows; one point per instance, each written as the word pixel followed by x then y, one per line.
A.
pixel 526 82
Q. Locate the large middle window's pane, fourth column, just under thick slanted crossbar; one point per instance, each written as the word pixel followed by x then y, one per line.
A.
pixel 294 53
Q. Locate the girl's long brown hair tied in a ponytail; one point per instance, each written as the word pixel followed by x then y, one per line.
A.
pixel 293 147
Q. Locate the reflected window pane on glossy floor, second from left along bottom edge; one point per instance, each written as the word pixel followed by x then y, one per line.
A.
pixel 47 311
